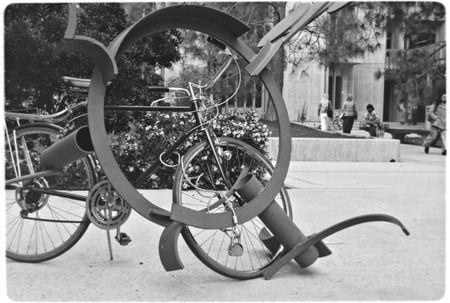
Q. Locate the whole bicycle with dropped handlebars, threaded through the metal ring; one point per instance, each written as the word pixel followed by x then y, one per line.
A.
pixel 203 181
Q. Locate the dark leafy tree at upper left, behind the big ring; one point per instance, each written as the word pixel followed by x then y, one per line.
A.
pixel 32 32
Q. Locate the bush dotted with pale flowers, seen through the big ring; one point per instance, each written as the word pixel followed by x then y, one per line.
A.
pixel 150 136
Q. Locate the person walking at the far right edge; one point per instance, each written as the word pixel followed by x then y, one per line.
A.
pixel 437 116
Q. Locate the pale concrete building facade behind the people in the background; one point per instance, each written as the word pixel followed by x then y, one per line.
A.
pixel 364 78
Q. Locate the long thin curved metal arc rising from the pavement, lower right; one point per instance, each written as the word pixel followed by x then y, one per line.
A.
pixel 301 247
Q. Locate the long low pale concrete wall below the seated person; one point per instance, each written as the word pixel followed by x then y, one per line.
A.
pixel 343 150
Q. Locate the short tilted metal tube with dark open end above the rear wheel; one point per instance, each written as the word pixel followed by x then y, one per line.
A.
pixel 70 149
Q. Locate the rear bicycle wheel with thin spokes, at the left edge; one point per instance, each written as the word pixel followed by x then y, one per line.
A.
pixel 43 234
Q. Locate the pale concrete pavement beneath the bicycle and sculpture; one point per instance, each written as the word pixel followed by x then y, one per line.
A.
pixel 373 261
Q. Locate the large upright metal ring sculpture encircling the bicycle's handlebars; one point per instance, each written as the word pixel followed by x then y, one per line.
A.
pixel 226 29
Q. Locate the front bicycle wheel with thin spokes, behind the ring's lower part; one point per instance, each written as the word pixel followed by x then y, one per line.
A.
pixel 211 246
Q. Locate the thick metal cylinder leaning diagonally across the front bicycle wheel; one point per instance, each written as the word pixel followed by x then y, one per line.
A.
pixel 278 222
